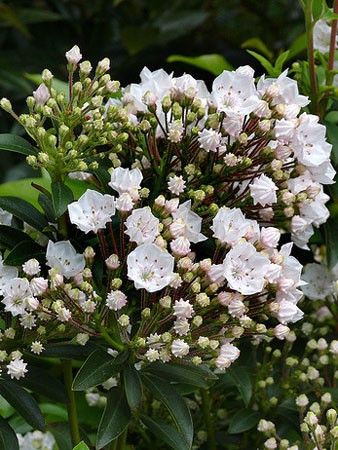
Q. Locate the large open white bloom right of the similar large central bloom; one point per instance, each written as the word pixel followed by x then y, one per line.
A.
pixel 244 269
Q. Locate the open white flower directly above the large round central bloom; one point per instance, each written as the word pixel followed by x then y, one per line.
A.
pixel 142 226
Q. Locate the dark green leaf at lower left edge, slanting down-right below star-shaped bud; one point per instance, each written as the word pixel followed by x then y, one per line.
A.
pixel 23 403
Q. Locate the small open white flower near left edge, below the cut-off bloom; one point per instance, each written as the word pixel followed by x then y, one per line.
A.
pixel 15 293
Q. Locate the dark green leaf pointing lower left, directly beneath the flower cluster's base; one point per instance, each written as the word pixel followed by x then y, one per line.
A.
pixel 97 368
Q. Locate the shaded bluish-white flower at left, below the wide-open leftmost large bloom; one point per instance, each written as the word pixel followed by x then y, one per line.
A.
pixel 63 257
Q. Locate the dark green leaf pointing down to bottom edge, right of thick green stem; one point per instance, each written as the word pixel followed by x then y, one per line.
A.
pixel 115 418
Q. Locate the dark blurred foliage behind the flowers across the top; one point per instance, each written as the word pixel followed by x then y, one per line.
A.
pixel 34 34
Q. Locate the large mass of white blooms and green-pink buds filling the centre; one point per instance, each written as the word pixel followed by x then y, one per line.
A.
pixel 173 252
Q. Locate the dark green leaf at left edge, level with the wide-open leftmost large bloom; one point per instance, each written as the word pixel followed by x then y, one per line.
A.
pixel 24 211
